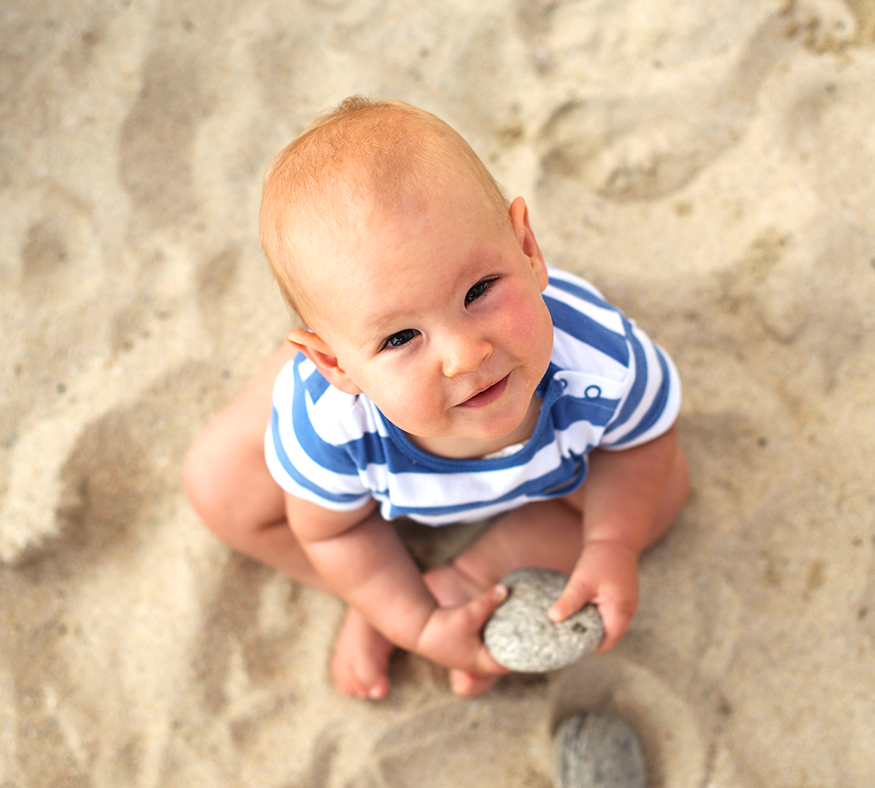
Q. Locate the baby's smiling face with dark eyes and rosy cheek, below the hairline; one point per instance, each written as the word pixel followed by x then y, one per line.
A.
pixel 438 317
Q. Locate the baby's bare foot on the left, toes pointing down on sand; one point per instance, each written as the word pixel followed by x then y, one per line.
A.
pixel 360 664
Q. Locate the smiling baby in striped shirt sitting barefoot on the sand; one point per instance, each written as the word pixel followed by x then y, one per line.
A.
pixel 444 374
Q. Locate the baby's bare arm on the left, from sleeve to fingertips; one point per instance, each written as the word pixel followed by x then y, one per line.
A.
pixel 361 557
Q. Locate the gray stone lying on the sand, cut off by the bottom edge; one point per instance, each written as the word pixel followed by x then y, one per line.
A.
pixel 598 750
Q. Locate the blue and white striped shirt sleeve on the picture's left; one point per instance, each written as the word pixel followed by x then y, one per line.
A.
pixel 304 450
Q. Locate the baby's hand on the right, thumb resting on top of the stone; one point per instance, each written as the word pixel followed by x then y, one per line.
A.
pixel 606 574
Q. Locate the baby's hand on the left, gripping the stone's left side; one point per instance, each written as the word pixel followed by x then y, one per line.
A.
pixel 452 636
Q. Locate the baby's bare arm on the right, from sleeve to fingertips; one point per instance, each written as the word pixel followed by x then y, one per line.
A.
pixel 622 501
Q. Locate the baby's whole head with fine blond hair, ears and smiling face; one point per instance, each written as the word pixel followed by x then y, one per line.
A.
pixel 419 285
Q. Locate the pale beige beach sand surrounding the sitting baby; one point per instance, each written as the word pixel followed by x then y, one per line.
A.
pixel 708 163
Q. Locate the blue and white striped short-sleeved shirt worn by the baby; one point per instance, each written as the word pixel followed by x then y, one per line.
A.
pixel 608 385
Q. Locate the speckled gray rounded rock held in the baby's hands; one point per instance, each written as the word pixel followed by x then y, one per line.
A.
pixel 520 637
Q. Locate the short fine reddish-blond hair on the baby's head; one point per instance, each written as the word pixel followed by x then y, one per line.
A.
pixel 361 159
